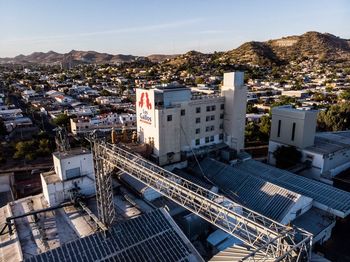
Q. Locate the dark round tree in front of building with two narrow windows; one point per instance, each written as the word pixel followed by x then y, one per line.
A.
pixel 287 156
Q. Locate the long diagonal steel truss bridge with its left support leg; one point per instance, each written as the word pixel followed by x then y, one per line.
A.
pixel 265 238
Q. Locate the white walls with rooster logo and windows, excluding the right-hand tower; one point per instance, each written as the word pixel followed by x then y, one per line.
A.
pixel 179 134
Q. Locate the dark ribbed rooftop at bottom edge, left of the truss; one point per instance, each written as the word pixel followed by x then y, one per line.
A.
pixel 150 237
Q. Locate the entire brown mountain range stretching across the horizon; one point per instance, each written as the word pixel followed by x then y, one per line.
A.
pixel 273 52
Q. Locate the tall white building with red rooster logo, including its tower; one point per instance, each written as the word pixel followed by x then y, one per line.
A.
pixel 176 120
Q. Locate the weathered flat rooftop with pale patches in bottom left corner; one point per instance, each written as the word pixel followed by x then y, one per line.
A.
pixel 33 236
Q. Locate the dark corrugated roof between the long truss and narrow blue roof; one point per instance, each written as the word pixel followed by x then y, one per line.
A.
pixel 255 193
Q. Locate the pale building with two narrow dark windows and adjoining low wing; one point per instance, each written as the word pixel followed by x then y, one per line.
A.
pixel 328 152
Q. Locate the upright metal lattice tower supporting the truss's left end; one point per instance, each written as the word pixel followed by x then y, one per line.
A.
pixel 104 188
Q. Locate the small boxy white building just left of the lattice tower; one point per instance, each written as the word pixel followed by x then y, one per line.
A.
pixel 73 171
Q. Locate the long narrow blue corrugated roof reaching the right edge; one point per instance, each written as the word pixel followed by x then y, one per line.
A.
pixel 327 197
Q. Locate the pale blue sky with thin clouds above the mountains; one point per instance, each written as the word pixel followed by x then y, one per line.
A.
pixel 161 26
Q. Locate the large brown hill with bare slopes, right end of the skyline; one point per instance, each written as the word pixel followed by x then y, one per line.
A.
pixel 291 48
